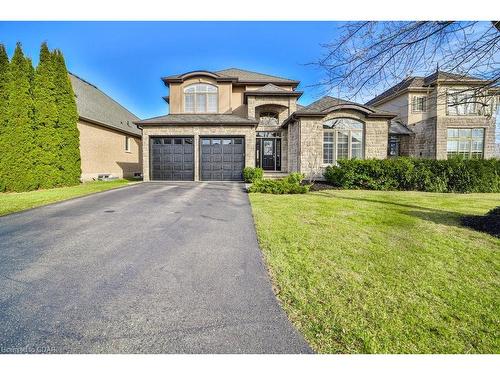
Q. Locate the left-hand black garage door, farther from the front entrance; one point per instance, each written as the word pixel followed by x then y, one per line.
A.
pixel 172 158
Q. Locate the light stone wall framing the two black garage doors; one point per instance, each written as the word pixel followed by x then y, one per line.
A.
pixel 248 132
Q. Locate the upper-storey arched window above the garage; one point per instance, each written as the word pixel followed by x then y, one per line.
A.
pixel 201 98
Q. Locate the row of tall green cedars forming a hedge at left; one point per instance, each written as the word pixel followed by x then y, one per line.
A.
pixel 39 138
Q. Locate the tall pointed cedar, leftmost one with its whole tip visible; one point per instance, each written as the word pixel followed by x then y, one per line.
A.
pixel 17 144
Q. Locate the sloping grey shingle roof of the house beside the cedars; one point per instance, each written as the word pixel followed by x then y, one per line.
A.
pixel 96 107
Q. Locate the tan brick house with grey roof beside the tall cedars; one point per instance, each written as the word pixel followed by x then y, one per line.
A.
pixel 110 142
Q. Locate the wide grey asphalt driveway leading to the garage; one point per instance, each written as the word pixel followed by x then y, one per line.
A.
pixel 151 268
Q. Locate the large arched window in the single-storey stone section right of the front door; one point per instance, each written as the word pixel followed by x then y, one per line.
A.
pixel 342 139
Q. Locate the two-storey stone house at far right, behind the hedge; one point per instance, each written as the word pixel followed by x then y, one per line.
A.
pixel 447 115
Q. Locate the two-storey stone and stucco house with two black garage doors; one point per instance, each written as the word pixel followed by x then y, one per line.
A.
pixel 222 121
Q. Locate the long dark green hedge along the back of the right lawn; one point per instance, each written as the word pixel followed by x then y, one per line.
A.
pixel 453 175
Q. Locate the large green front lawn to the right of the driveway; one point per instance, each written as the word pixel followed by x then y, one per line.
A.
pixel 383 272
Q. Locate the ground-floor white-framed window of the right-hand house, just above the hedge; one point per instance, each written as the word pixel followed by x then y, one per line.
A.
pixel 467 143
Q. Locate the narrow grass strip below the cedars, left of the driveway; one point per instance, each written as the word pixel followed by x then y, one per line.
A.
pixel 13 202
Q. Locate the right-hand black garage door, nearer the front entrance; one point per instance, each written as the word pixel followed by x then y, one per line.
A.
pixel 222 158
